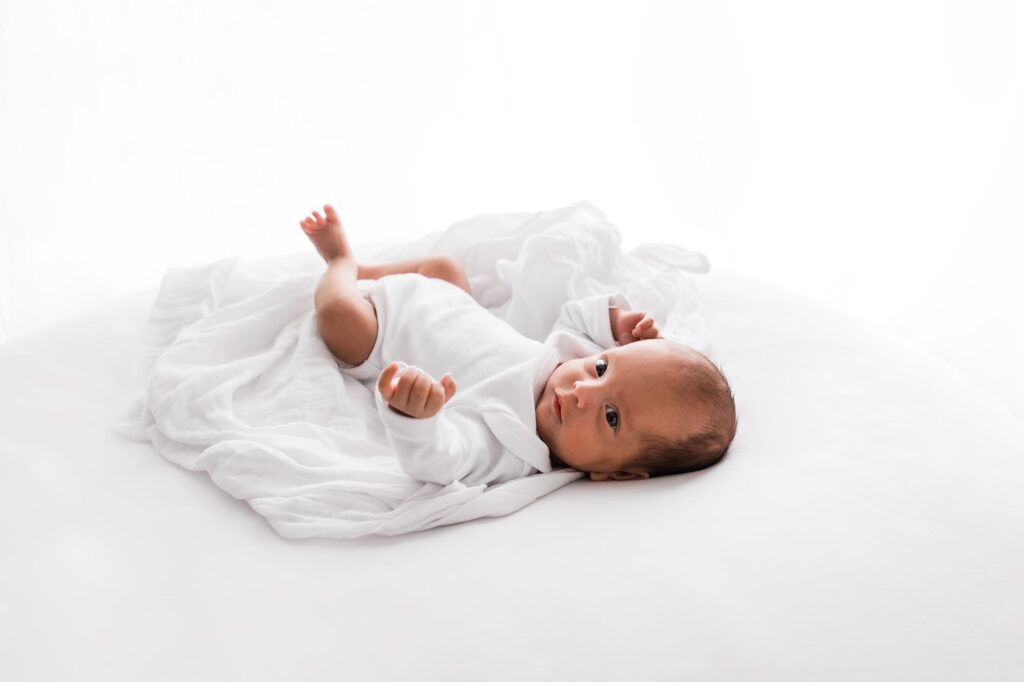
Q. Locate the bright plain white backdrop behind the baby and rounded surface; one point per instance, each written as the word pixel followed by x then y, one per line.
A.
pixel 868 154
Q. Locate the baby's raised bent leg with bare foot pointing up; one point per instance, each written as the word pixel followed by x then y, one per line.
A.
pixel 346 320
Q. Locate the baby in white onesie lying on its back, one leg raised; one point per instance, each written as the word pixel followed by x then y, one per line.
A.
pixel 641 407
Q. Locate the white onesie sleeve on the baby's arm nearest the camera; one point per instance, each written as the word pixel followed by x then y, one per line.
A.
pixel 439 450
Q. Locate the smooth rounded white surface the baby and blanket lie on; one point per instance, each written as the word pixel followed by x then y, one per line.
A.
pixel 866 526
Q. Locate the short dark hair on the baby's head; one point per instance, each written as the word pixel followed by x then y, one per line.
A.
pixel 697 380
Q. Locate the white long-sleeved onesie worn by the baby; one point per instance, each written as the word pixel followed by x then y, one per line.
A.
pixel 487 434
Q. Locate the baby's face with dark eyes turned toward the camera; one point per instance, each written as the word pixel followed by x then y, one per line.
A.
pixel 595 412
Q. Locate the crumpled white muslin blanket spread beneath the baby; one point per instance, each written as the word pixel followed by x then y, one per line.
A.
pixel 236 381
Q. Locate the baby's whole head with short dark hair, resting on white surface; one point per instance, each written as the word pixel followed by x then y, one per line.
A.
pixel 648 409
